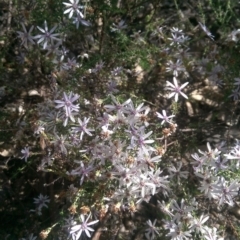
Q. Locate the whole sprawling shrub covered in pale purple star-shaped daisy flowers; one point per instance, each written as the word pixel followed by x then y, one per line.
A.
pixel 104 148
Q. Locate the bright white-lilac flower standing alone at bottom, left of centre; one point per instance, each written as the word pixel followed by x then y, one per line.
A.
pixel 77 230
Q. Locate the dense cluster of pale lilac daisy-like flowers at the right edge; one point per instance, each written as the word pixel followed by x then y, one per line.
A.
pixel 206 168
